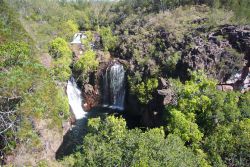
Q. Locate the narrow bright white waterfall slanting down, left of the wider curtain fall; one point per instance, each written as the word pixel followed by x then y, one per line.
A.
pixel 75 100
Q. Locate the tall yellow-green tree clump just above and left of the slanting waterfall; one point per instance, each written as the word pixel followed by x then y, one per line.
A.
pixel 62 55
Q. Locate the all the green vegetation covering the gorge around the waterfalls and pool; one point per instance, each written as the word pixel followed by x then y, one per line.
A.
pixel 201 126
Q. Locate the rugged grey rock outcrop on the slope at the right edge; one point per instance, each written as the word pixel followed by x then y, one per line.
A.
pixel 224 54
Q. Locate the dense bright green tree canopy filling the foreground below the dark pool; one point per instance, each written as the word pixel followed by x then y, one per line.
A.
pixel 213 125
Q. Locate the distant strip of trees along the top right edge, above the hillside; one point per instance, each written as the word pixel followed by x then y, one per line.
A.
pixel 240 7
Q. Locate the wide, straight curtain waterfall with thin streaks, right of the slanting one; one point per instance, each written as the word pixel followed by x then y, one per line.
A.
pixel 114 87
